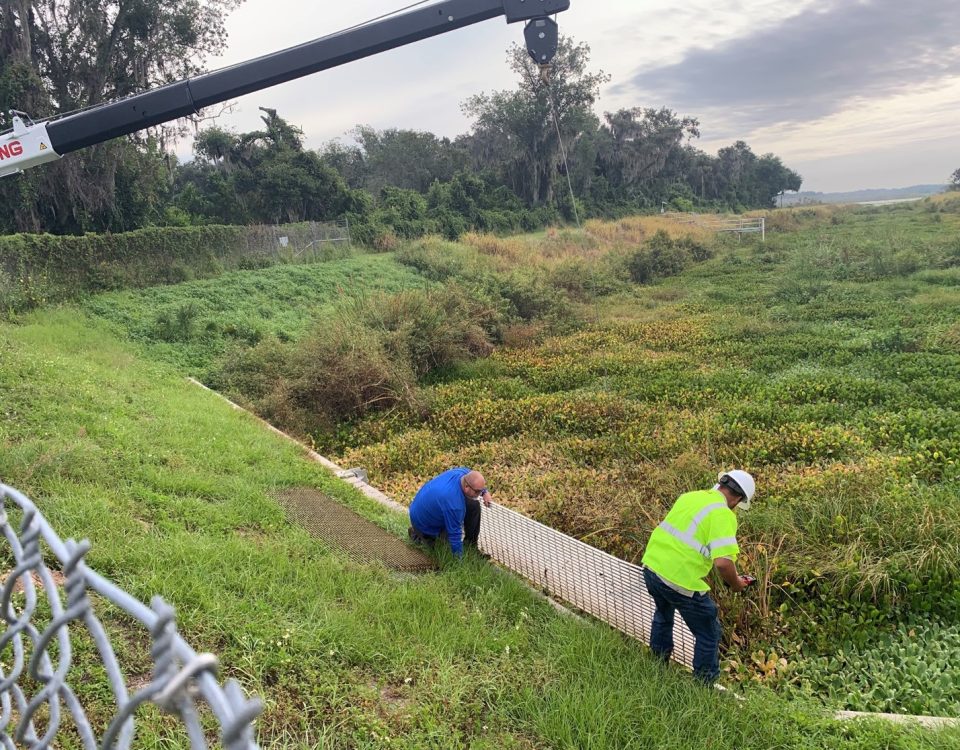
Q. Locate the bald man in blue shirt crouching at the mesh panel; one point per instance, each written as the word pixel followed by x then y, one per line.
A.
pixel 449 505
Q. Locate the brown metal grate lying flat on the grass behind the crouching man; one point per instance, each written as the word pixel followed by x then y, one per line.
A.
pixel 362 540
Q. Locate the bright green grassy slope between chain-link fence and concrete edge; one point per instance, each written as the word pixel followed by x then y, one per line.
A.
pixel 171 486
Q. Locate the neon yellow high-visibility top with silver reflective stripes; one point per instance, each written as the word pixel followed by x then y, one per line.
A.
pixel 697 530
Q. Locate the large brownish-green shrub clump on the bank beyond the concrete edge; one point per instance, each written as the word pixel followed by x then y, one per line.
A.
pixel 366 356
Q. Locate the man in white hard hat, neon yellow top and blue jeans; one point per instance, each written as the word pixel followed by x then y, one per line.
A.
pixel 698 535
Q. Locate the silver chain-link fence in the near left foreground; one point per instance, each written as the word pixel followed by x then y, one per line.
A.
pixel 43 607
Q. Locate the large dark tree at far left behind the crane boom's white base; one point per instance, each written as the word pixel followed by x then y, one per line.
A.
pixel 57 56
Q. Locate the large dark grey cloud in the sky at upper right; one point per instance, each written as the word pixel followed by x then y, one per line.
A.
pixel 812 65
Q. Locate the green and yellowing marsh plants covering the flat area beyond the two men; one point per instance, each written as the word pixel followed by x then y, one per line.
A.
pixel 827 361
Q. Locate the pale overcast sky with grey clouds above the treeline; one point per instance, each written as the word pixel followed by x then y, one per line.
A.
pixel 850 93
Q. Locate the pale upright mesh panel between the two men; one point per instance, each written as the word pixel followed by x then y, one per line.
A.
pixel 605 586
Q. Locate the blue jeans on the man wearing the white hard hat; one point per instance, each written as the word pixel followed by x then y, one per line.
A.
pixel 699 612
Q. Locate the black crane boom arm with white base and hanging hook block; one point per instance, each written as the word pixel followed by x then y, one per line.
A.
pixel 30 144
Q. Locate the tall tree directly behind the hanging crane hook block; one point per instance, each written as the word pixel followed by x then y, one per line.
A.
pixel 514 131
